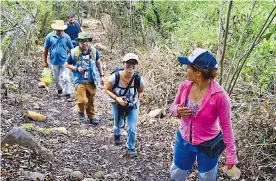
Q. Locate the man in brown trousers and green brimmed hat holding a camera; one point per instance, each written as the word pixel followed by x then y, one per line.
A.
pixel 84 61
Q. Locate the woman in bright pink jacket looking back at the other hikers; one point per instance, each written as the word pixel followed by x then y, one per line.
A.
pixel 204 110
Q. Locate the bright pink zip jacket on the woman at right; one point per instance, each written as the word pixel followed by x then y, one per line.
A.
pixel 214 112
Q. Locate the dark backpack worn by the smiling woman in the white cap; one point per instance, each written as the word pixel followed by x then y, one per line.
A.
pixel 137 79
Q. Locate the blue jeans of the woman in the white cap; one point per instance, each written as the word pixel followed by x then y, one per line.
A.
pixel 131 121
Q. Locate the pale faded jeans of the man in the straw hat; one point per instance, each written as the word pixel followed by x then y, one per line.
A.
pixel 59 70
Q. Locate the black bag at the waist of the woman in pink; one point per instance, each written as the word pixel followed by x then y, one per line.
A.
pixel 214 147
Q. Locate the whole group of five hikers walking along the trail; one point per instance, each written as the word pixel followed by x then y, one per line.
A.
pixel 201 104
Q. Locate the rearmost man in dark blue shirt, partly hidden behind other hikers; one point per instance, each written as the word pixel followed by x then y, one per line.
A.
pixel 73 29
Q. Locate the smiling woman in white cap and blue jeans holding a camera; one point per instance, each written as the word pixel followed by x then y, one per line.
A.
pixel 126 87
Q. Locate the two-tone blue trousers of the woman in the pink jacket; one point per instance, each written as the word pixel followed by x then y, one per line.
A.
pixel 185 155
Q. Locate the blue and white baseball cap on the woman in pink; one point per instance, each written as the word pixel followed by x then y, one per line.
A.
pixel 201 58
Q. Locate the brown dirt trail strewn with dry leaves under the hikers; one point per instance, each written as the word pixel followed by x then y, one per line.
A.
pixel 88 149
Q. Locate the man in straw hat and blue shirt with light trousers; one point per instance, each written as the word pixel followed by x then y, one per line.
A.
pixel 57 43
